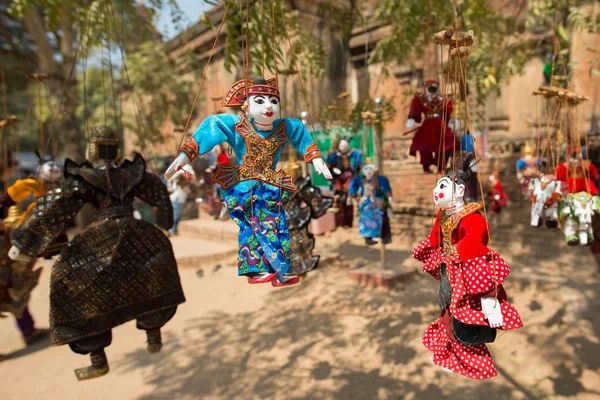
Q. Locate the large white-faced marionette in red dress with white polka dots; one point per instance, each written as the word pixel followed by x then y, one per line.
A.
pixel 471 298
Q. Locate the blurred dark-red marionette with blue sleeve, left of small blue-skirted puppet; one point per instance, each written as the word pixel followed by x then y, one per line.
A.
pixel 345 163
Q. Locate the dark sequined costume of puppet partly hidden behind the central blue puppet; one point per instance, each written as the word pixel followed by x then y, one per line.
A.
pixel 304 205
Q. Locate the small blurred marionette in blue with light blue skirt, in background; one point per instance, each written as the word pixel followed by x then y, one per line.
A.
pixel 375 205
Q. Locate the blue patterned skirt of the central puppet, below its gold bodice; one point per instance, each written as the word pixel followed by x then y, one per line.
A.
pixel 264 240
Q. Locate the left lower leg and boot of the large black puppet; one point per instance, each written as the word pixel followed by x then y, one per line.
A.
pixel 94 346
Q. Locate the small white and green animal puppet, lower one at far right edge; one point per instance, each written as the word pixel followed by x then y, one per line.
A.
pixel 576 212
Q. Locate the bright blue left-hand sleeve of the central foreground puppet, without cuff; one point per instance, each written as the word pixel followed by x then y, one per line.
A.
pixel 214 130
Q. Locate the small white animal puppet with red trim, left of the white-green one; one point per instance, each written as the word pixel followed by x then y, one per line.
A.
pixel 545 192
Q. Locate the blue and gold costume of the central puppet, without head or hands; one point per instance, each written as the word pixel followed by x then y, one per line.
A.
pixel 253 191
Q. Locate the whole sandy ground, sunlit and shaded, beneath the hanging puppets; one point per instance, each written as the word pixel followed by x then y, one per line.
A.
pixel 329 338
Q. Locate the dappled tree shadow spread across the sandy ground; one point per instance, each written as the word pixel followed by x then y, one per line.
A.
pixel 329 338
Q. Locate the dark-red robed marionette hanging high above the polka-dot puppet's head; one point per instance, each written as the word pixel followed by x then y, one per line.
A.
pixel 434 141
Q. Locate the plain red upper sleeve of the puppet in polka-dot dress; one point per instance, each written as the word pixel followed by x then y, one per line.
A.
pixel 473 237
